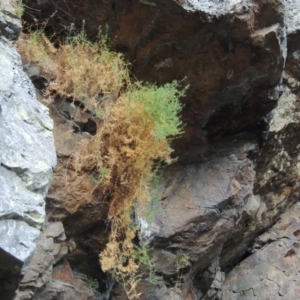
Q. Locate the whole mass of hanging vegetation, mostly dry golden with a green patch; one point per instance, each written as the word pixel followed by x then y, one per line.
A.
pixel 136 123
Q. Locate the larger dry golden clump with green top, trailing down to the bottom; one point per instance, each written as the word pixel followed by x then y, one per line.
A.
pixel 134 135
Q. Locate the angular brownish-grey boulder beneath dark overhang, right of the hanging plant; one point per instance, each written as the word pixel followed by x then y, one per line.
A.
pixel 201 207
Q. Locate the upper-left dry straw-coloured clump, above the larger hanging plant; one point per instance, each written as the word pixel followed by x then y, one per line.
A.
pixel 78 68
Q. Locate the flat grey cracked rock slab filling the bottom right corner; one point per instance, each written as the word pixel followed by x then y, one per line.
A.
pixel 272 271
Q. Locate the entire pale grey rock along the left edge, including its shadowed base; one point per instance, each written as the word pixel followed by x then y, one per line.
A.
pixel 27 156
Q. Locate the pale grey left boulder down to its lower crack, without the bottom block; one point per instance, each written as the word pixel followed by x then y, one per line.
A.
pixel 28 153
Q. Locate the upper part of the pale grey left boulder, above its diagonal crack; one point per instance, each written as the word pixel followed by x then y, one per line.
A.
pixel 25 124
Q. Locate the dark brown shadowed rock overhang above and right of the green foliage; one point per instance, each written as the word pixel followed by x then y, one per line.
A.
pixel 232 63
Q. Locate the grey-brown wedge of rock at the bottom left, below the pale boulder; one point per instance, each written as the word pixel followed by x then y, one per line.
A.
pixel 49 275
